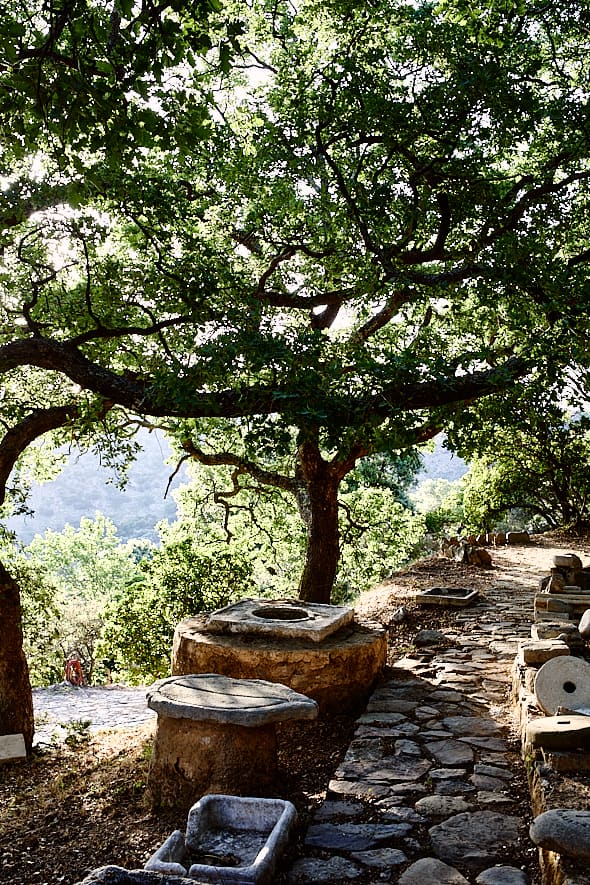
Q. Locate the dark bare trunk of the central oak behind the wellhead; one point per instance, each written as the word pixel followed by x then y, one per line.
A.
pixel 320 514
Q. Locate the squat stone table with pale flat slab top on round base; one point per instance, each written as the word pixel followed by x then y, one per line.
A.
pixel 216 734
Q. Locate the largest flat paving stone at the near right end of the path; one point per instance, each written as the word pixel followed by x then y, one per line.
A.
pixel 478 839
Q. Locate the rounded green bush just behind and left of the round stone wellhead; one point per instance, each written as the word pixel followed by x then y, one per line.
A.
pixel 179 581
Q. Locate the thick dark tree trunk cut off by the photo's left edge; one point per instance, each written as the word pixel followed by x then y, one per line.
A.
pixel 16 700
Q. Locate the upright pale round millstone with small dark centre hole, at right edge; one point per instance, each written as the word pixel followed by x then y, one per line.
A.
pixel 563 682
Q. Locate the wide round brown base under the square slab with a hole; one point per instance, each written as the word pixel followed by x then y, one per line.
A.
pixel 338 673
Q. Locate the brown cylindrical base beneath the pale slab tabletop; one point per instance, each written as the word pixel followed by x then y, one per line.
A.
pixel 192 758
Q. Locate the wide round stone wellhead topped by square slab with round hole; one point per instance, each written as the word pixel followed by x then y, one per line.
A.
pixel 318 650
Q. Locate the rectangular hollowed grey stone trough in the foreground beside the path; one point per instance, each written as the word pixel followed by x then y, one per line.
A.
pixel 228 839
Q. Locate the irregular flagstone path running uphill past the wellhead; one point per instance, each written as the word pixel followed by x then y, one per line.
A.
pixel 427 793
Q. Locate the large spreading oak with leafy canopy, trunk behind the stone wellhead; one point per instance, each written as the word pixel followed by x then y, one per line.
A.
pixel 381 218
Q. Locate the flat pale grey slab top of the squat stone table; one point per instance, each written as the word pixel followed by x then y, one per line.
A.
pixel 209 697
